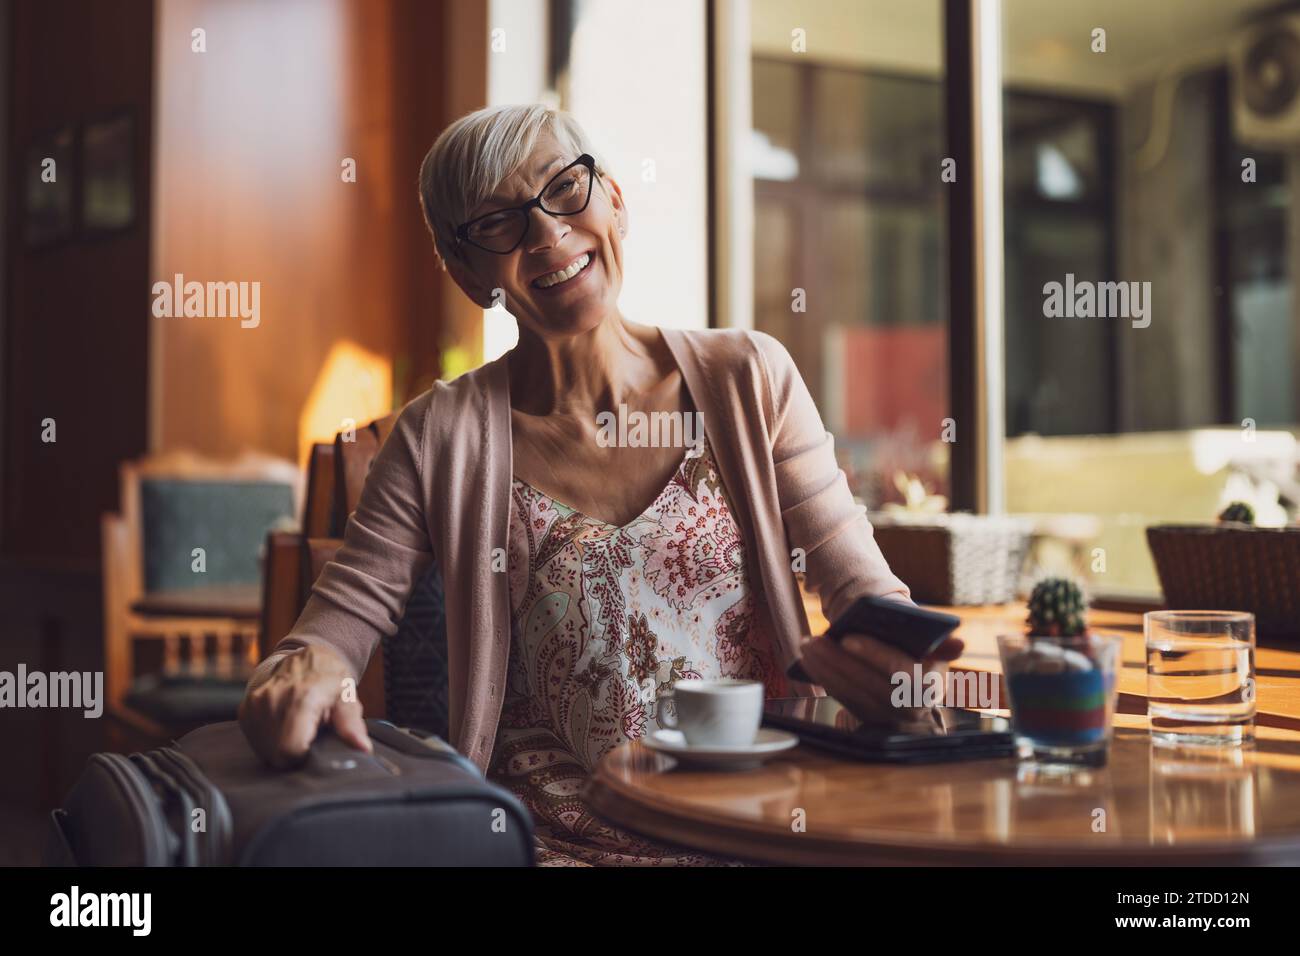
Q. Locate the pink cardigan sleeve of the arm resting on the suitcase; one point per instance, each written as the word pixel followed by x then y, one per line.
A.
pixel 362 594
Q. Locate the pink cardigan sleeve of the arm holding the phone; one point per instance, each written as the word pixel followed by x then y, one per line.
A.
pixel 844 561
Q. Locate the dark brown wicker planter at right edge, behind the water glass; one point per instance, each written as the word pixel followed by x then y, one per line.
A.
pixel 1232 568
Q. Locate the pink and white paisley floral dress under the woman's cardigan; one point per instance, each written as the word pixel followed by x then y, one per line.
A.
pixel 605 618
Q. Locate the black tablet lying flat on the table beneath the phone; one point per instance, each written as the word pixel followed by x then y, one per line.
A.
pixel 826 724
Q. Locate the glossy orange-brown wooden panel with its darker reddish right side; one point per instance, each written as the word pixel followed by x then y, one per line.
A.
pixel 252 137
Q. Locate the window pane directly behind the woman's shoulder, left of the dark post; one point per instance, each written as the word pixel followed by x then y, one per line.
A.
pixel 850 237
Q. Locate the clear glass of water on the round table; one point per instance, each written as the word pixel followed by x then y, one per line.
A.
pixel 1201 678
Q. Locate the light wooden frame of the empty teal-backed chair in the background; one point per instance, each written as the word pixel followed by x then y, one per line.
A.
pixel 168 631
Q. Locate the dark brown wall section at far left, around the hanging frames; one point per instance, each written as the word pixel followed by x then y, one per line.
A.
pixel 76 321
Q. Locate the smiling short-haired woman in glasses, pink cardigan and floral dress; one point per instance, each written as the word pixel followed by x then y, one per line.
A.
pixel 573 603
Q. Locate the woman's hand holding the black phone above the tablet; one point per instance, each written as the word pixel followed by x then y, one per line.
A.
pixel 859 672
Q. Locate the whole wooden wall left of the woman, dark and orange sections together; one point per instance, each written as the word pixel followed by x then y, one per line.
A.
pixel 240 152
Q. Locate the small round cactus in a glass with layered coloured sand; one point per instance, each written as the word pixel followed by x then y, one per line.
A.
pixel 1061 678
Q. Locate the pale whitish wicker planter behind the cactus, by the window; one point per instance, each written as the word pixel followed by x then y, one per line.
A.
pixel 956 560
